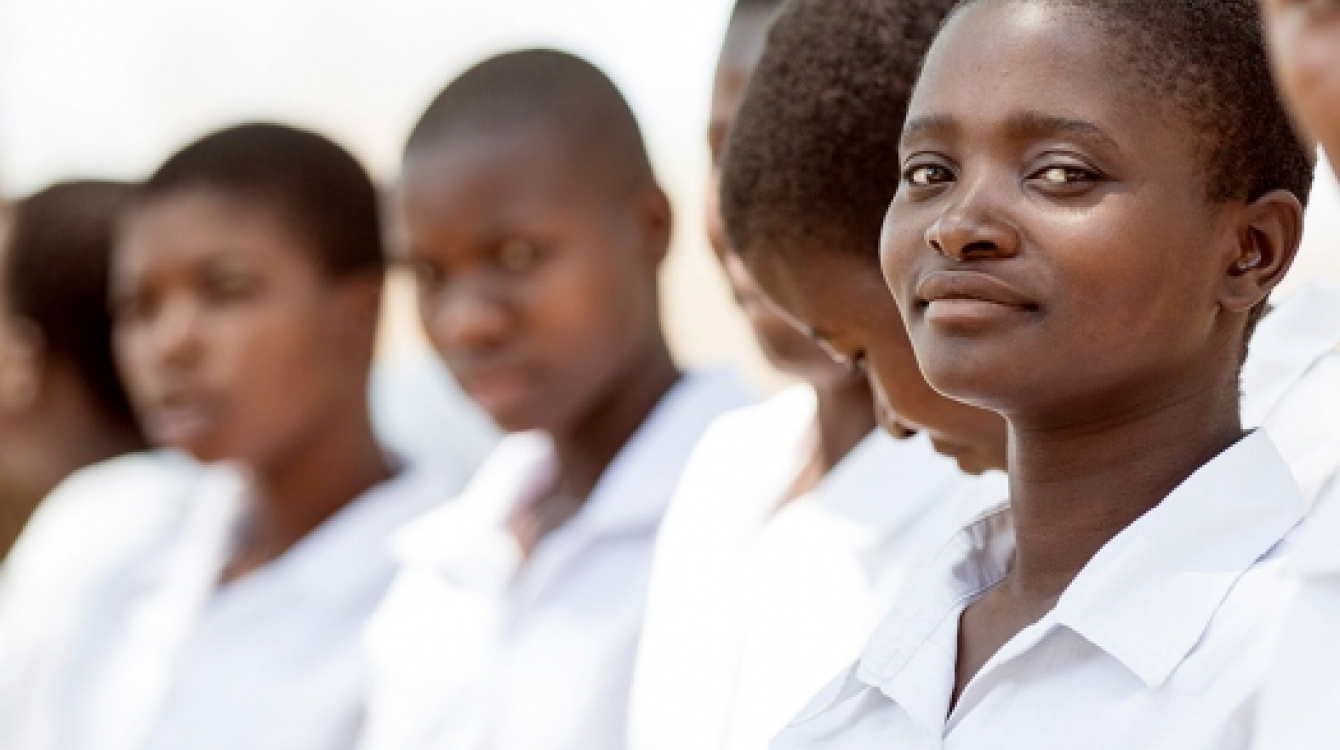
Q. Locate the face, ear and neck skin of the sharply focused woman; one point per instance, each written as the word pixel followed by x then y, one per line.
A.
pixel 1057 258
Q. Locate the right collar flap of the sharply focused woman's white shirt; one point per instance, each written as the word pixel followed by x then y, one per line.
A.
pixel 1149 595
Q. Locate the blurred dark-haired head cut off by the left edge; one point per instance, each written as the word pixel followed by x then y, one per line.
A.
pixel 56 250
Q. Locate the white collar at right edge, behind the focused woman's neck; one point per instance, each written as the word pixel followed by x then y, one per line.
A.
pixel 1288 342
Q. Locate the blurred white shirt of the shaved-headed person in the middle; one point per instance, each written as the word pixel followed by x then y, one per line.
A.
pixel 475 650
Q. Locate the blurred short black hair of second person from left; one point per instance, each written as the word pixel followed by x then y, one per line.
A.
pixel 316 185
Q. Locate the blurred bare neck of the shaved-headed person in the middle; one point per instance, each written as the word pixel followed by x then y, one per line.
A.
pixel 588 451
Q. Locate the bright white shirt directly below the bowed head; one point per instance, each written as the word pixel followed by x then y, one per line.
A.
pixel 755 605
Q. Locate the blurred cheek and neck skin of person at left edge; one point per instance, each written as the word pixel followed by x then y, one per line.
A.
pixel 52 424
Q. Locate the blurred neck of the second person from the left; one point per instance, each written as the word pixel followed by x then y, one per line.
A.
pixel 338 461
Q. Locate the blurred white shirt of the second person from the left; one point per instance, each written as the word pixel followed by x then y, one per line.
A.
pixel 269 662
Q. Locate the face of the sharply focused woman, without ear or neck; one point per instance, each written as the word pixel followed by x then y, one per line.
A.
pixel 1051 246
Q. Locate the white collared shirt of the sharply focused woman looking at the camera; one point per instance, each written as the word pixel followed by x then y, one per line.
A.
pixel 1161 644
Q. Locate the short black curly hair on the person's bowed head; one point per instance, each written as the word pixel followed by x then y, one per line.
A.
pixel 813 156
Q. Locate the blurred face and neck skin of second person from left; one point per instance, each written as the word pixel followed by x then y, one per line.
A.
pixel 220 309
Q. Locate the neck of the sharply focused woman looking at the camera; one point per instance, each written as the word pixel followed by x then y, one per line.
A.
pixel 1075 487
